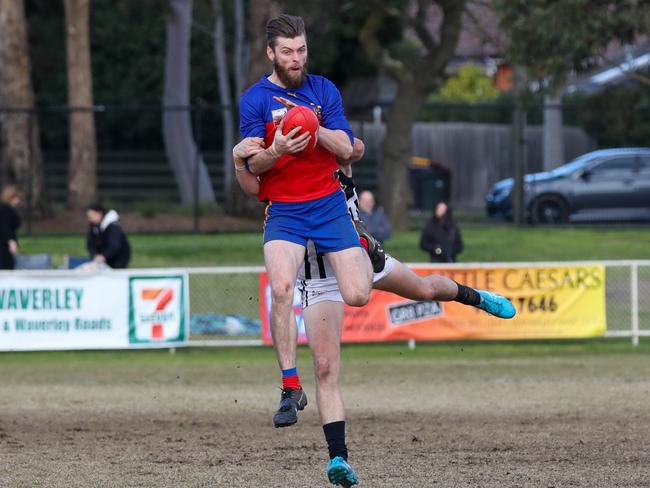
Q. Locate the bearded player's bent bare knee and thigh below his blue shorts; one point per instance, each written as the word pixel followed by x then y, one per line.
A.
pixel 354 274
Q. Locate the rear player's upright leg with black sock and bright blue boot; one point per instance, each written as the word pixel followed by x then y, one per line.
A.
pixel 323 324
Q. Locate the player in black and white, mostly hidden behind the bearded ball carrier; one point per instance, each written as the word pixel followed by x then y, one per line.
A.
pixel 323 311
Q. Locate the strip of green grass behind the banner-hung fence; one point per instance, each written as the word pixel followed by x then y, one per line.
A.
pixel 482 244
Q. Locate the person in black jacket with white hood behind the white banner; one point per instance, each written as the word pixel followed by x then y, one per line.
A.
pixel 106 241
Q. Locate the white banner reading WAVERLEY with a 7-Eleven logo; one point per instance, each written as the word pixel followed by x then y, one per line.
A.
pixel 108 310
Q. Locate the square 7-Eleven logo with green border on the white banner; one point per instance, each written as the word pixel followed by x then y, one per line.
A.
pixel 158 309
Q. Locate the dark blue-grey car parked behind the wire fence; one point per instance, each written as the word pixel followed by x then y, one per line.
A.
pixel 608 184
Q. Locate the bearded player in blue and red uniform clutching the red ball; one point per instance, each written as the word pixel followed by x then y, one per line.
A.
pixel 303 195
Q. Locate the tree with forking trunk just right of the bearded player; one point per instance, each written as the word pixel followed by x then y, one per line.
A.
pixel 411 43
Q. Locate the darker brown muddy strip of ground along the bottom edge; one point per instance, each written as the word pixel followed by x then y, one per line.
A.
pixel 241 449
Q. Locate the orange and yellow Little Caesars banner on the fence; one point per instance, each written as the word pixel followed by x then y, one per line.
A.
pixel 552 302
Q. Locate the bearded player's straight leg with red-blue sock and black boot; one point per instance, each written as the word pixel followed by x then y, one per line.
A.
pixel 282 259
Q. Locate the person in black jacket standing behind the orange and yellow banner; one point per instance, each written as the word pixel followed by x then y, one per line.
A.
pixel 441 236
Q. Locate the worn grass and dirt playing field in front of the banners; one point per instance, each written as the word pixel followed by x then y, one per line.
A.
pixel 451 415
